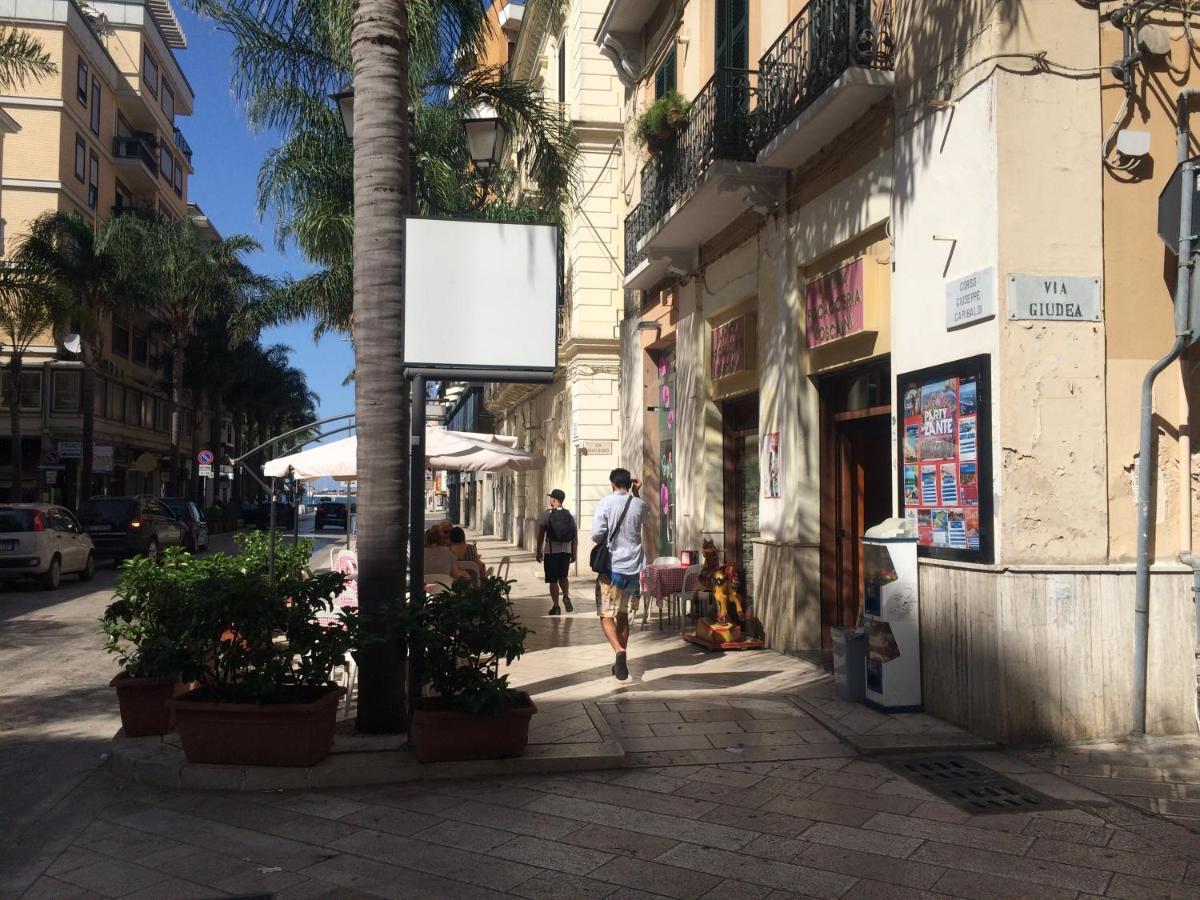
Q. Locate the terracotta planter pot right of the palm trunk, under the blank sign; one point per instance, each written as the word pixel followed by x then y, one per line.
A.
pixel 446 736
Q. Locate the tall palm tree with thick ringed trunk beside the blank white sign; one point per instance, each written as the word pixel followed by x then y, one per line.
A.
pixel 292 51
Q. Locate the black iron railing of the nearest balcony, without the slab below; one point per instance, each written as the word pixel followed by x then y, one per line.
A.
pixel 825 40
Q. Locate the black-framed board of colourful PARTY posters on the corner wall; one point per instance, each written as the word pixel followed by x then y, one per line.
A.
pixel 945 459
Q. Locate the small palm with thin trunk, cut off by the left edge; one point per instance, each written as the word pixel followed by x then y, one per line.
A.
pixel 31 305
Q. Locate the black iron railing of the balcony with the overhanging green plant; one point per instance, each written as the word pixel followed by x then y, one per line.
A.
pixel 721 127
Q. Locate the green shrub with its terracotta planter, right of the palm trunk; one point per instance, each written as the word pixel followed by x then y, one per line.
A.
pixel 460 638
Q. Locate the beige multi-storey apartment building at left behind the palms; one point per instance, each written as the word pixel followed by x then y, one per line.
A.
pixel 100 139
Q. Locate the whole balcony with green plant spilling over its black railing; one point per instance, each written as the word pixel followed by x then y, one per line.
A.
pixel 699 184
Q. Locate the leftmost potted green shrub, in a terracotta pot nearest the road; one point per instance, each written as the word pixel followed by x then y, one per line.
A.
pixel 141 628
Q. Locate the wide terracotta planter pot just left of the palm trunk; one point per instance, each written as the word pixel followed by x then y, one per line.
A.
pixel 256 734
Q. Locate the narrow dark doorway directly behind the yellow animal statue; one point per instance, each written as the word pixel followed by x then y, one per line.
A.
pixel 741 489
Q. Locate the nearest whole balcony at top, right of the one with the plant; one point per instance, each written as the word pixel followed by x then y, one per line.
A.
pixel 831 65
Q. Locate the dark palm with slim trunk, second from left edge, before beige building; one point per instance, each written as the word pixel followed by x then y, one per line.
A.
pixel 103 273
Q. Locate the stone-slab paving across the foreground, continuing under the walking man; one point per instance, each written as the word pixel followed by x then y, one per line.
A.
pixel 705 812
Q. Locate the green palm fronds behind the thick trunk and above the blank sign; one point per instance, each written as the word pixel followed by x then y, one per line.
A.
pixel 290 57
